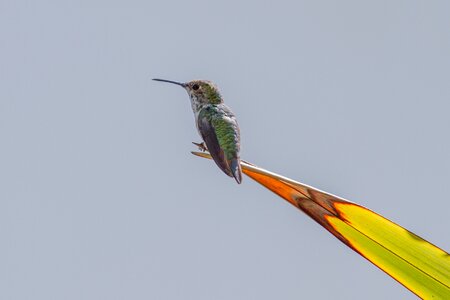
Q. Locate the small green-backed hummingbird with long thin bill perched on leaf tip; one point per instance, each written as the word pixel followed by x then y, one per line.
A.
pixel 216 124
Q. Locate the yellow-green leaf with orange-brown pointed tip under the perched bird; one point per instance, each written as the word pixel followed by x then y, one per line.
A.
pixel 417 264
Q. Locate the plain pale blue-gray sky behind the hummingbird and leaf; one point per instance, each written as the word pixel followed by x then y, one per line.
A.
pixel 101 198
